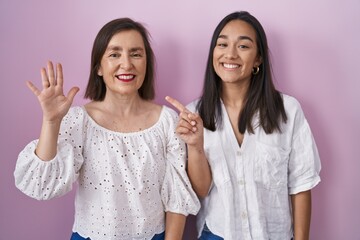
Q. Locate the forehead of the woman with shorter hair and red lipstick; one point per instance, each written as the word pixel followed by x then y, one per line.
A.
pixel 127 39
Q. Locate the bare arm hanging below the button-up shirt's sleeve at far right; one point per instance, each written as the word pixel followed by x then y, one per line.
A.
pixel 301 206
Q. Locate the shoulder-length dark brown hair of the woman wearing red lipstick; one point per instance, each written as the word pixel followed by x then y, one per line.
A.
pixel 96 88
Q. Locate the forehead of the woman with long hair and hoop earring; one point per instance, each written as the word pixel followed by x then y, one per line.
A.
pixel 238 28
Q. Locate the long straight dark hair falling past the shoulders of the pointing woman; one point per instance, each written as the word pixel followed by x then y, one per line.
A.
pixel 262 97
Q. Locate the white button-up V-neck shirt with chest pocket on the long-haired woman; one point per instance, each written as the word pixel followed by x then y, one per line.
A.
pixel 249 197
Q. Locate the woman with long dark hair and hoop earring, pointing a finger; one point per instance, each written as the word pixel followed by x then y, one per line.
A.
pixel 255 162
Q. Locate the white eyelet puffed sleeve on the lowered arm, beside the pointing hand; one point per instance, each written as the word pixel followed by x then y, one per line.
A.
pixel 177 193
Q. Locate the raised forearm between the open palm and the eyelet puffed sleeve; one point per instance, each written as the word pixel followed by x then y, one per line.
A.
pixel 46 148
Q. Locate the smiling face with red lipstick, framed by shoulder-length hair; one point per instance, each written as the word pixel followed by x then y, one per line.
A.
pixel 123 65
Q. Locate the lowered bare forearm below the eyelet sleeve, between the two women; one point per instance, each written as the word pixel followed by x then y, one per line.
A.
pixel 175 224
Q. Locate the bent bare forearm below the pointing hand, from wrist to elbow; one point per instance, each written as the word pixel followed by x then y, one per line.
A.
pixel 199 171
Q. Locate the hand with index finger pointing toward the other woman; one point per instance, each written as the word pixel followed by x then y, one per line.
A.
pixel 190 125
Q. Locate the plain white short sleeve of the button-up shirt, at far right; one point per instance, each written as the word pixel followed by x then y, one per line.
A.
pixel 304 163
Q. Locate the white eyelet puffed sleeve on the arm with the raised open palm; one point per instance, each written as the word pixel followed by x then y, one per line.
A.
pixel 48 179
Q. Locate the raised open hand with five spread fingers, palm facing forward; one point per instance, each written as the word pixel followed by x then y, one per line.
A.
pixel 51 98
